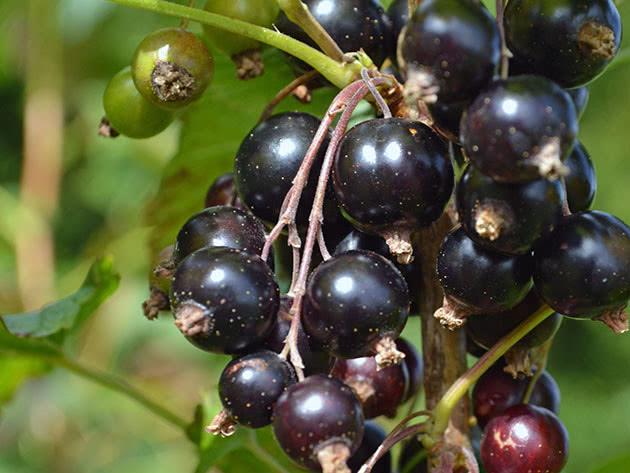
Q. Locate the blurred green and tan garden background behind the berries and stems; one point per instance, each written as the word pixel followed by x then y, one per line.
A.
pixel 68 196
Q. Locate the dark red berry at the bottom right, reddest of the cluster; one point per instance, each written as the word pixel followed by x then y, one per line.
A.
pixel 524 438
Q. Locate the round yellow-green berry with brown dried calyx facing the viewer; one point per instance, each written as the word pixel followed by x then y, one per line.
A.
pixel 185 55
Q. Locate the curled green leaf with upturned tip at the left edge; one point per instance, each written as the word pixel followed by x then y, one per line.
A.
pixel 71 311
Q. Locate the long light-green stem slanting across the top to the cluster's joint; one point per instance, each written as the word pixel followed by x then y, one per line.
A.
pixel 336 72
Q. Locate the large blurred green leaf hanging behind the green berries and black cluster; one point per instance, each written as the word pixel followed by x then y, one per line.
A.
pixel 213 129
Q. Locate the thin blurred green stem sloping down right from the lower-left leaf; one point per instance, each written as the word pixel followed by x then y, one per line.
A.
pixel 118 385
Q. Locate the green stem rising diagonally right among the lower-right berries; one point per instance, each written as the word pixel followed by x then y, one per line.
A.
pixel 444 408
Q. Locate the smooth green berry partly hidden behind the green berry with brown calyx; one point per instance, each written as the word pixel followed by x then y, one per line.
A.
pixel 128 112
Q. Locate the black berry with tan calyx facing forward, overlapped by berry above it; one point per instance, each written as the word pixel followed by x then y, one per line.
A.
pixel 507 217
